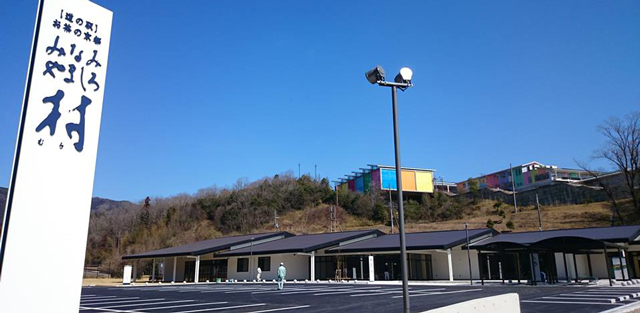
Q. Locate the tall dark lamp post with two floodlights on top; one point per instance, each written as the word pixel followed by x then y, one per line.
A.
pixel 402 81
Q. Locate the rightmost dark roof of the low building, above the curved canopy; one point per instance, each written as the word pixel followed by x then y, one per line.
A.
pixel 619 234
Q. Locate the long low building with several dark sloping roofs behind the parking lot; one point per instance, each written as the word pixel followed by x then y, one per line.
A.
pixel 572 255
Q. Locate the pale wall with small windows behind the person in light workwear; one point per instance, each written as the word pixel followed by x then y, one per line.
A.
pixel 297 267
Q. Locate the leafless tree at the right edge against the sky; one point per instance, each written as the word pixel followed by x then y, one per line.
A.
pixel 622 148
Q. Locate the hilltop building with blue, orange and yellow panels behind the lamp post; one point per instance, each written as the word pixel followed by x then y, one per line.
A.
pixel 382 177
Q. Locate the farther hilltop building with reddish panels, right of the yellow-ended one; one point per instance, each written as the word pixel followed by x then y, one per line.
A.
pixel 526 176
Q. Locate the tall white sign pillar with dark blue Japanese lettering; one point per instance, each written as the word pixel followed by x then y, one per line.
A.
pixel 49 198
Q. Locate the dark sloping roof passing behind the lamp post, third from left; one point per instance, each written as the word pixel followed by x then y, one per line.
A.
pixel 414 241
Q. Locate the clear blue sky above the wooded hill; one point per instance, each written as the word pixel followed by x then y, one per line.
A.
pixel 201 93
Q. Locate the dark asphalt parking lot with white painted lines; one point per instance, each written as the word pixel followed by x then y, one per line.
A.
pixel 349 297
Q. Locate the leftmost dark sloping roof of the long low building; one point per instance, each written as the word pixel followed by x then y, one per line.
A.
pixel 206 246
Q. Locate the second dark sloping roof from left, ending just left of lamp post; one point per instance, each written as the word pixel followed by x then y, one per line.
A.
pixel 302 243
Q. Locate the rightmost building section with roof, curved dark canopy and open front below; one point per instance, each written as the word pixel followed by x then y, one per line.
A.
pixel 547 256
